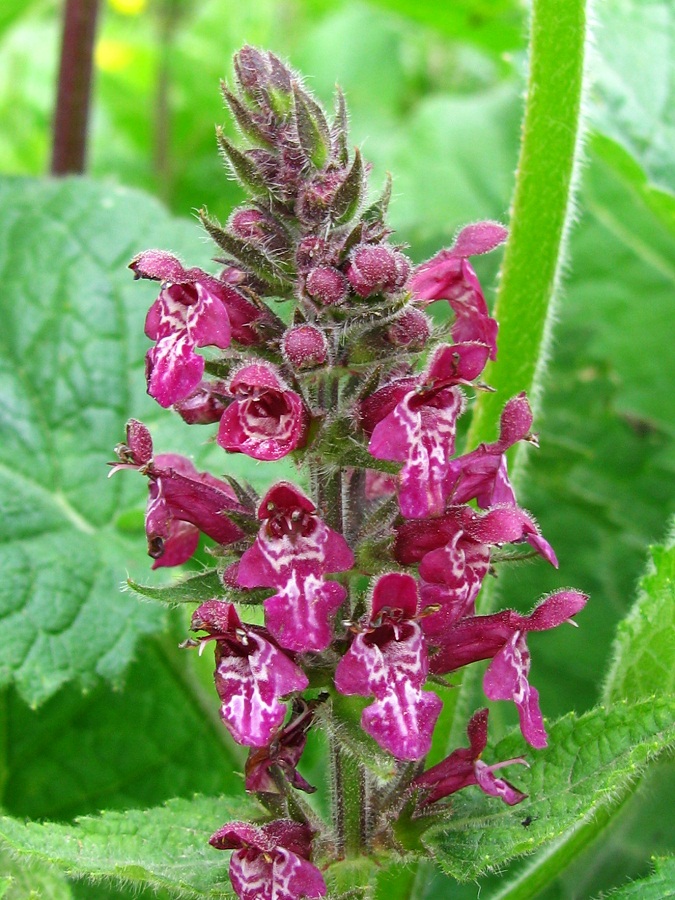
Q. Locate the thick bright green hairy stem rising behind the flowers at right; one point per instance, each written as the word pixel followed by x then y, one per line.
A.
pixel 541 212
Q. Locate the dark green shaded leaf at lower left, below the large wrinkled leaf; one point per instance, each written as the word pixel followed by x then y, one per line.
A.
pixel 160 737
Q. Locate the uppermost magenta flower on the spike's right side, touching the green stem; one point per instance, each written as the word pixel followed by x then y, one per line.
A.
pixel 448 276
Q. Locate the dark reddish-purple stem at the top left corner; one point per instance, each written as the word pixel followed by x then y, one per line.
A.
pixel 75 76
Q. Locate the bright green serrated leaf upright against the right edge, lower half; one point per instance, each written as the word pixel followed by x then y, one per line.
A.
pixel 644 650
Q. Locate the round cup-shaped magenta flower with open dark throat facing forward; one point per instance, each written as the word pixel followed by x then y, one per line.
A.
pixel 266 420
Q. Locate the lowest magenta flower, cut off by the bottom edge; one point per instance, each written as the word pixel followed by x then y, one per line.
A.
pixel 270 862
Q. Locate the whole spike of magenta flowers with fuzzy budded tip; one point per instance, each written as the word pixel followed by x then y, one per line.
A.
pixel 368 574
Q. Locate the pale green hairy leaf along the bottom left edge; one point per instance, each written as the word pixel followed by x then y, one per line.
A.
pixel 162 847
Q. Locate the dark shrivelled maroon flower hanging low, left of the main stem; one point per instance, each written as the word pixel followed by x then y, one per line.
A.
pixel 284 752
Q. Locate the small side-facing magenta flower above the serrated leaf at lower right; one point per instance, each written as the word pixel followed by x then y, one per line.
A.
pixel 464 767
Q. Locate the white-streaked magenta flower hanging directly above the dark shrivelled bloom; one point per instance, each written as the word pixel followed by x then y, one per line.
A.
pixel 251 674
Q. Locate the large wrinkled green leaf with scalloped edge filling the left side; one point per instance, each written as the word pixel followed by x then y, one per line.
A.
pixel 71 361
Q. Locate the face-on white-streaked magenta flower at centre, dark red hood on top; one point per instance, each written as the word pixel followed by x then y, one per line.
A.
pixel 294 549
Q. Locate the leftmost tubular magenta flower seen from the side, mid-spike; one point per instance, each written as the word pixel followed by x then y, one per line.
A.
pixel 181 503
